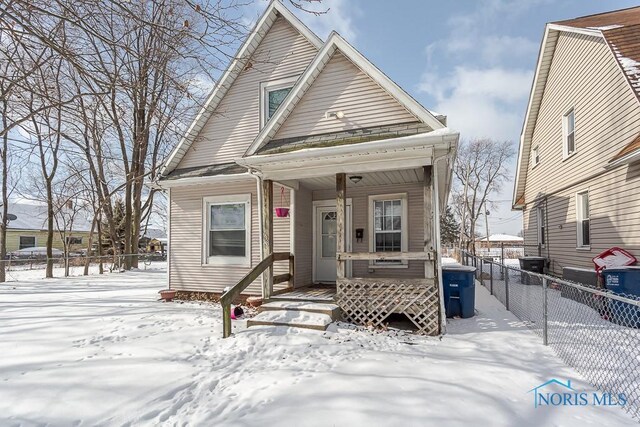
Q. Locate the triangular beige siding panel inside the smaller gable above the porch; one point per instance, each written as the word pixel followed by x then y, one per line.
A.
pixel 342 86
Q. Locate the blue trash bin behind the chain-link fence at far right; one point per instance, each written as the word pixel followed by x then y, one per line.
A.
pixel 626 281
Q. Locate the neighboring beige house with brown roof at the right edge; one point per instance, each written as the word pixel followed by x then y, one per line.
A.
pixel 578 175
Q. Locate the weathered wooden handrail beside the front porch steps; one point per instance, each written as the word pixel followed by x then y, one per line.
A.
pixel 238 288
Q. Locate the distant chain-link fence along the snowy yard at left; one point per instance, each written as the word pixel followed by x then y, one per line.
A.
pixel 33 267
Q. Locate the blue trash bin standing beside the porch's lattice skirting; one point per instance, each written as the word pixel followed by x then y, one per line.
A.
pixel 459 290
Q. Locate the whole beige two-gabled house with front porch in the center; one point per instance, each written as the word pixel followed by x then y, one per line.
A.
pixel 313 127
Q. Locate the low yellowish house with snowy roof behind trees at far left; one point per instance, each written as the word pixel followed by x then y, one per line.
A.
pixel 29 229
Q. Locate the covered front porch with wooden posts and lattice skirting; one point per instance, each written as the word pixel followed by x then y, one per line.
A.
pixel 363 219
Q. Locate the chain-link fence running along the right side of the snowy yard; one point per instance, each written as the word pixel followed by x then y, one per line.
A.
pixel 595 331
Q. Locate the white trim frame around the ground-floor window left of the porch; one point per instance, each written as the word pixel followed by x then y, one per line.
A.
pixel 207 260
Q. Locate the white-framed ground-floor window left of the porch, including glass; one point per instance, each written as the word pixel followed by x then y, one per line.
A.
pixel 227 226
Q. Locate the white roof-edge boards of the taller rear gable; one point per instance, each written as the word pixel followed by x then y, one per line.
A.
pixel 248 48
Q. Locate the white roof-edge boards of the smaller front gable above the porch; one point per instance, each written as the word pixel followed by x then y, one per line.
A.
pixel 336 43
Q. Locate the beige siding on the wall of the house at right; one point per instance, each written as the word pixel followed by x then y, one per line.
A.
pixel 584 76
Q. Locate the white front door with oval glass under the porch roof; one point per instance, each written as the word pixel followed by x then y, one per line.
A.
pixel 325 242
